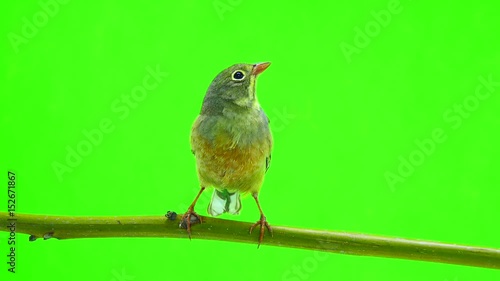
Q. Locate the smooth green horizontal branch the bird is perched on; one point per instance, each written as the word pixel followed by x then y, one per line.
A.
pixel 65 227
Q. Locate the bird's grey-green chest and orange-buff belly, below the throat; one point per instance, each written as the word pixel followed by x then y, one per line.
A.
pixel 231 155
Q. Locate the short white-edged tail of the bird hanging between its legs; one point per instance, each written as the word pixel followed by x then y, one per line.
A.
pixel 224 201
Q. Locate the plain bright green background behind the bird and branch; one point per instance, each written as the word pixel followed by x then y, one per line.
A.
pixel 341 123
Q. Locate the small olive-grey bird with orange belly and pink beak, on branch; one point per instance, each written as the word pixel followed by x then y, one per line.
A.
pixel 232 143
